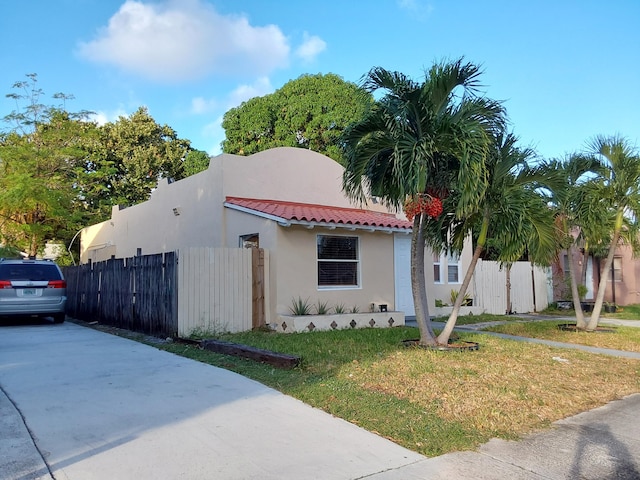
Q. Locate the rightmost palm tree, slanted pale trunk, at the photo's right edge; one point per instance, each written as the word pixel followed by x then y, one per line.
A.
pixel 619 189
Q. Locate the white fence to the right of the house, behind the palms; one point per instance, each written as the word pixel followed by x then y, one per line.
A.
pixel 529 287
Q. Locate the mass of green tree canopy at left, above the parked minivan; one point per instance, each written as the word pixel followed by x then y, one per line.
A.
pixel 60 172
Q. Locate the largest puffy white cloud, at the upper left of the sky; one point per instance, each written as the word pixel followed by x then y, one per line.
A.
pixel 181 40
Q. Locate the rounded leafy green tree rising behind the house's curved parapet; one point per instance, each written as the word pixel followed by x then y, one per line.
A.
pixel 309 112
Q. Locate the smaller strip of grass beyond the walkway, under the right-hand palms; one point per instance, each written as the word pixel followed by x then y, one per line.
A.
pixel 618 338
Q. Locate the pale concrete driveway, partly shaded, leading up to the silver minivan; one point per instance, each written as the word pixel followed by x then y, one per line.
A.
pixel 80 404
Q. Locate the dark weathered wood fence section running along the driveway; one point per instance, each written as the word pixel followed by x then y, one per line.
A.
pixel 137 293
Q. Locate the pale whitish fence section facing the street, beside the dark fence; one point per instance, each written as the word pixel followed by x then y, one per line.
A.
pixel 214 290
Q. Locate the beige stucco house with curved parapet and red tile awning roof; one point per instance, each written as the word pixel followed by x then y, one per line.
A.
pixel 290 202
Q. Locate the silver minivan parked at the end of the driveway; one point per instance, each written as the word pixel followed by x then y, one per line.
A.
pixel 34 288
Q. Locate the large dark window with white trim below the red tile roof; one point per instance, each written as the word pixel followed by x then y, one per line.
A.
pixel 338 260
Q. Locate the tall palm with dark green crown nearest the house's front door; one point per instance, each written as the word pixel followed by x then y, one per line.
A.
pixel 413 142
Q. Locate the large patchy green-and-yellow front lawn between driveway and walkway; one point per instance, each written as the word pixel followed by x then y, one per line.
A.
pixel 433 402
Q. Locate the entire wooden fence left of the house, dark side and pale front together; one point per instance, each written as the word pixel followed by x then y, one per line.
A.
pixel 174 294
